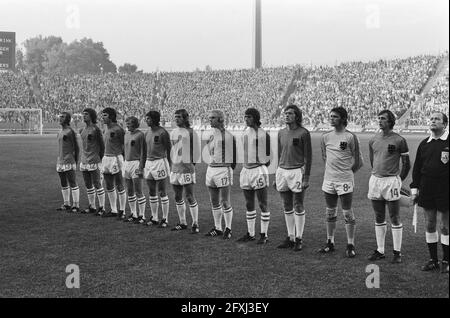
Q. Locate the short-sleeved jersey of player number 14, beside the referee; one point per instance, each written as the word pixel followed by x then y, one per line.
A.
pixel 387 151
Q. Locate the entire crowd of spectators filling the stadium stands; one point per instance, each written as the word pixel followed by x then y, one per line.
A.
pixel 363 88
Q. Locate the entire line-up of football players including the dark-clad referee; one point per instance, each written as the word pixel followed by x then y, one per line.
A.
pixel 147 155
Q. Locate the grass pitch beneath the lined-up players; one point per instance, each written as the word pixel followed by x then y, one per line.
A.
pixel 128 260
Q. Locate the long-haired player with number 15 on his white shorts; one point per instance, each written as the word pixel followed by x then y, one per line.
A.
pixel 254 178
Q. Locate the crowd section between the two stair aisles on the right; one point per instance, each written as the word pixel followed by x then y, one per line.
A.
pixel 363 89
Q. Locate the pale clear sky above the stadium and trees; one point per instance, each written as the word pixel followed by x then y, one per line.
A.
pixel 183 35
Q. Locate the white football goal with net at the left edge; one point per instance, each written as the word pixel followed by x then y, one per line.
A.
pixel 21 121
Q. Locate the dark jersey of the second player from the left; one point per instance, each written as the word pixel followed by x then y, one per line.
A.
pixel 92 139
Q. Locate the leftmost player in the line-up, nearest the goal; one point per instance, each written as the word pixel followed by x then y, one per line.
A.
pixel 66 164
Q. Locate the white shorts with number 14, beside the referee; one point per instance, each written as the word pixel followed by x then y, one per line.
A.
pixel 387 188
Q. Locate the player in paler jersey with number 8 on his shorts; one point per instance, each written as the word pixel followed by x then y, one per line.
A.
pixel 340 151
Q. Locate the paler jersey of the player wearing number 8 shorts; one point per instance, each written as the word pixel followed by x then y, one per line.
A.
pixel 339 150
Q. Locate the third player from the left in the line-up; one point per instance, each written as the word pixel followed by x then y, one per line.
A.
pixel 112 163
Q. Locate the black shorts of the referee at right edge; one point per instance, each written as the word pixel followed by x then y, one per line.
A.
pixel 433 193
